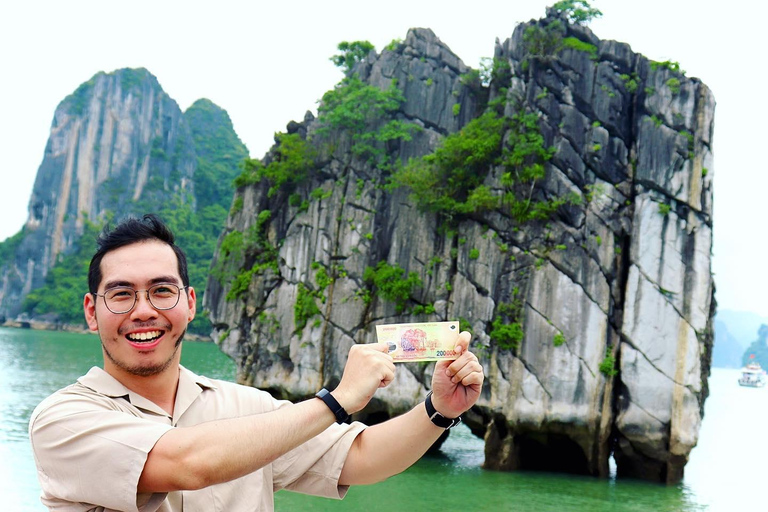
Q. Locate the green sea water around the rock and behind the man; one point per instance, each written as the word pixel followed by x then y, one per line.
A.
pixel 725 472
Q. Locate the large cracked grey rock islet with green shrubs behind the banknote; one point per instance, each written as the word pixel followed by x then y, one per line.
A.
pixel 581 262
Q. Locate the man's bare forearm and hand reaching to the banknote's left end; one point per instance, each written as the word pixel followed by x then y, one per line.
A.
pixel 219 451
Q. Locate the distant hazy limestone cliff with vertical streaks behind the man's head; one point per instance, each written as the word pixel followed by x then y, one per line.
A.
pixel 118 145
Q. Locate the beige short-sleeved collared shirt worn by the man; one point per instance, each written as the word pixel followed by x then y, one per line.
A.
pixel 91 439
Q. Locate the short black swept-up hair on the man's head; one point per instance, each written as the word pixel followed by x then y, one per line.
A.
pixel 129 231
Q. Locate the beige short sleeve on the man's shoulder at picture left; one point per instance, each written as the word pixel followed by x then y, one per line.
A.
pixel 90 452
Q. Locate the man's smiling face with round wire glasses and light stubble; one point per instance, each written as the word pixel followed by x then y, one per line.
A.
pixel 144 341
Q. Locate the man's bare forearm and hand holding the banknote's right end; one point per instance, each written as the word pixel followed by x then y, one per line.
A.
pixel 391 447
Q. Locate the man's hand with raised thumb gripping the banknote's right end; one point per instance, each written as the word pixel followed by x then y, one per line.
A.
pixel 456 384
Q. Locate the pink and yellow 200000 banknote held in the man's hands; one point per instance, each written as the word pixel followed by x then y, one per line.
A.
pixel 428 341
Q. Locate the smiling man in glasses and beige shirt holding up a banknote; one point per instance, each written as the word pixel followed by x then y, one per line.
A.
pixel 144 433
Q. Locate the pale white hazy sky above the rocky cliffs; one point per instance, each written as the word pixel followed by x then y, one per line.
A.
pixel 267 63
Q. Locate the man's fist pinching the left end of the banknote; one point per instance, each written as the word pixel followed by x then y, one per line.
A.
pixel 368 368
